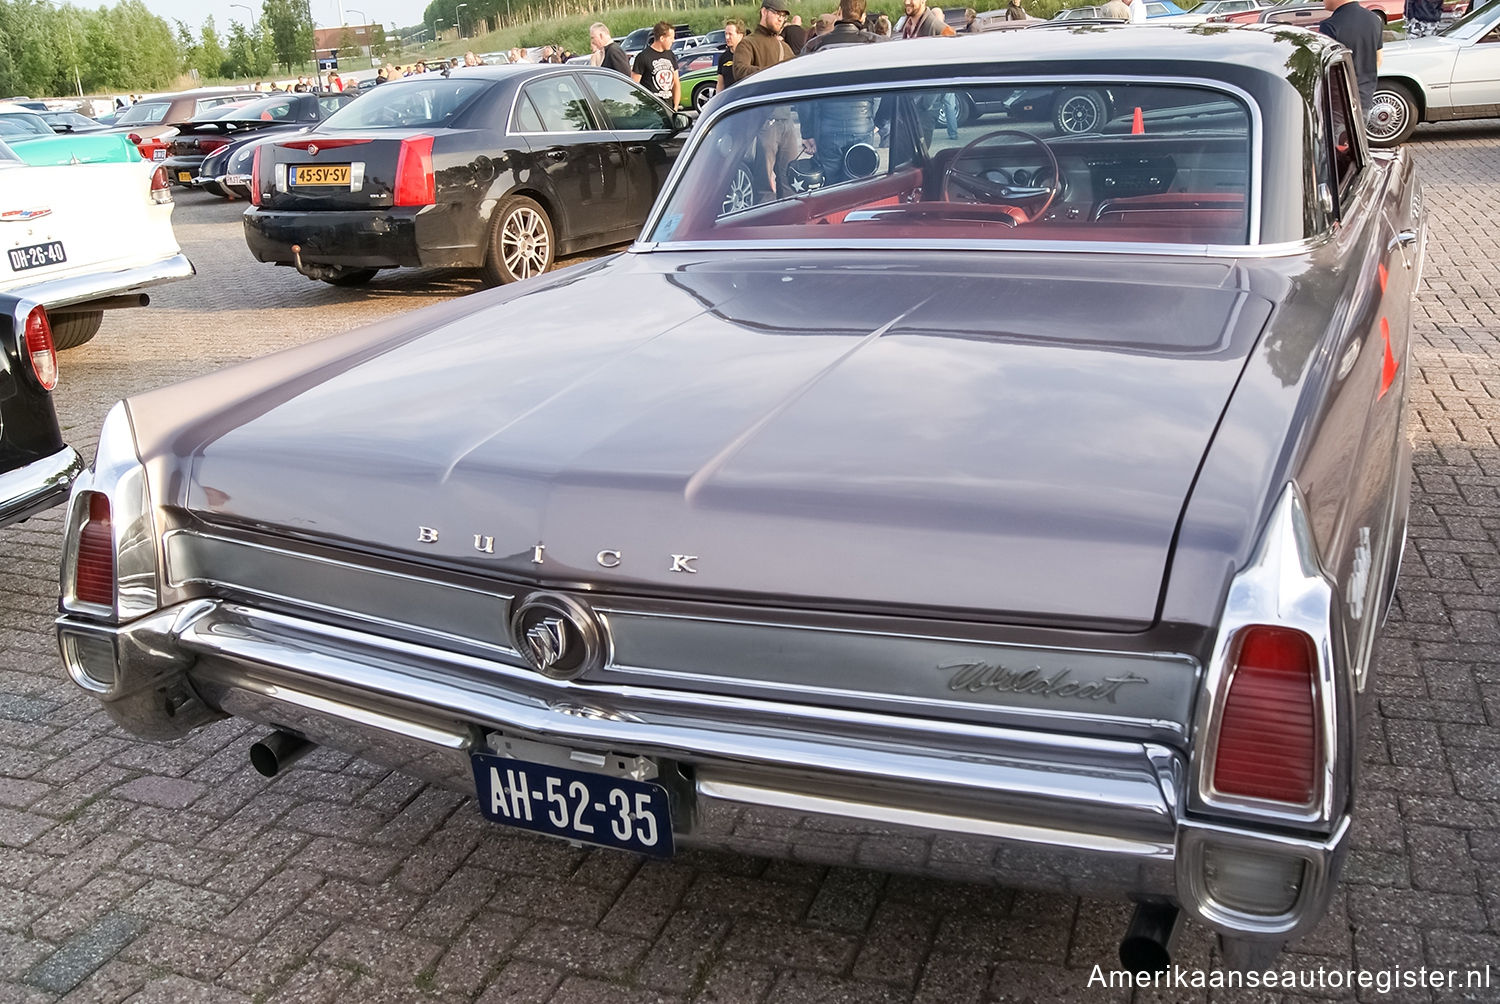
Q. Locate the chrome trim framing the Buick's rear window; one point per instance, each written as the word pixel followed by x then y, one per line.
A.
pixel 704 128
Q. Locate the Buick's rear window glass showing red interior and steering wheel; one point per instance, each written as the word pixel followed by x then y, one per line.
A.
pixel 1123 163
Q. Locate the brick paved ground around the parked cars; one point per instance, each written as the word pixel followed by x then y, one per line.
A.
pixel 178 874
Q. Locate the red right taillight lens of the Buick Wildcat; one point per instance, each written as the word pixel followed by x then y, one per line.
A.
pixel 1268 742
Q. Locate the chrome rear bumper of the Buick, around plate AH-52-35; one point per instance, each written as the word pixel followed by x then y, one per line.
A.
pixel 953 801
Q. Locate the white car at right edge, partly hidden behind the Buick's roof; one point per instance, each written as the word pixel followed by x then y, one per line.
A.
pixel 1454 74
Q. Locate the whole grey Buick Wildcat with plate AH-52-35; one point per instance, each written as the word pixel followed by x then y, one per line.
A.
pixel 1001 504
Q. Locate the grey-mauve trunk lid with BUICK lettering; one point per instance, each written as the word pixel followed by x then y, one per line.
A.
pixel 980 434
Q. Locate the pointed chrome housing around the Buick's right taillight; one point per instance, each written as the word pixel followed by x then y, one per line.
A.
pixel 1283 586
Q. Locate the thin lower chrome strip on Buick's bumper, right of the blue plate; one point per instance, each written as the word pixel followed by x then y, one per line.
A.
pixel 937 822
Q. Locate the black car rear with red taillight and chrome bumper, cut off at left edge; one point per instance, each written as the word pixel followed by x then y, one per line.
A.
pixel 37 467
